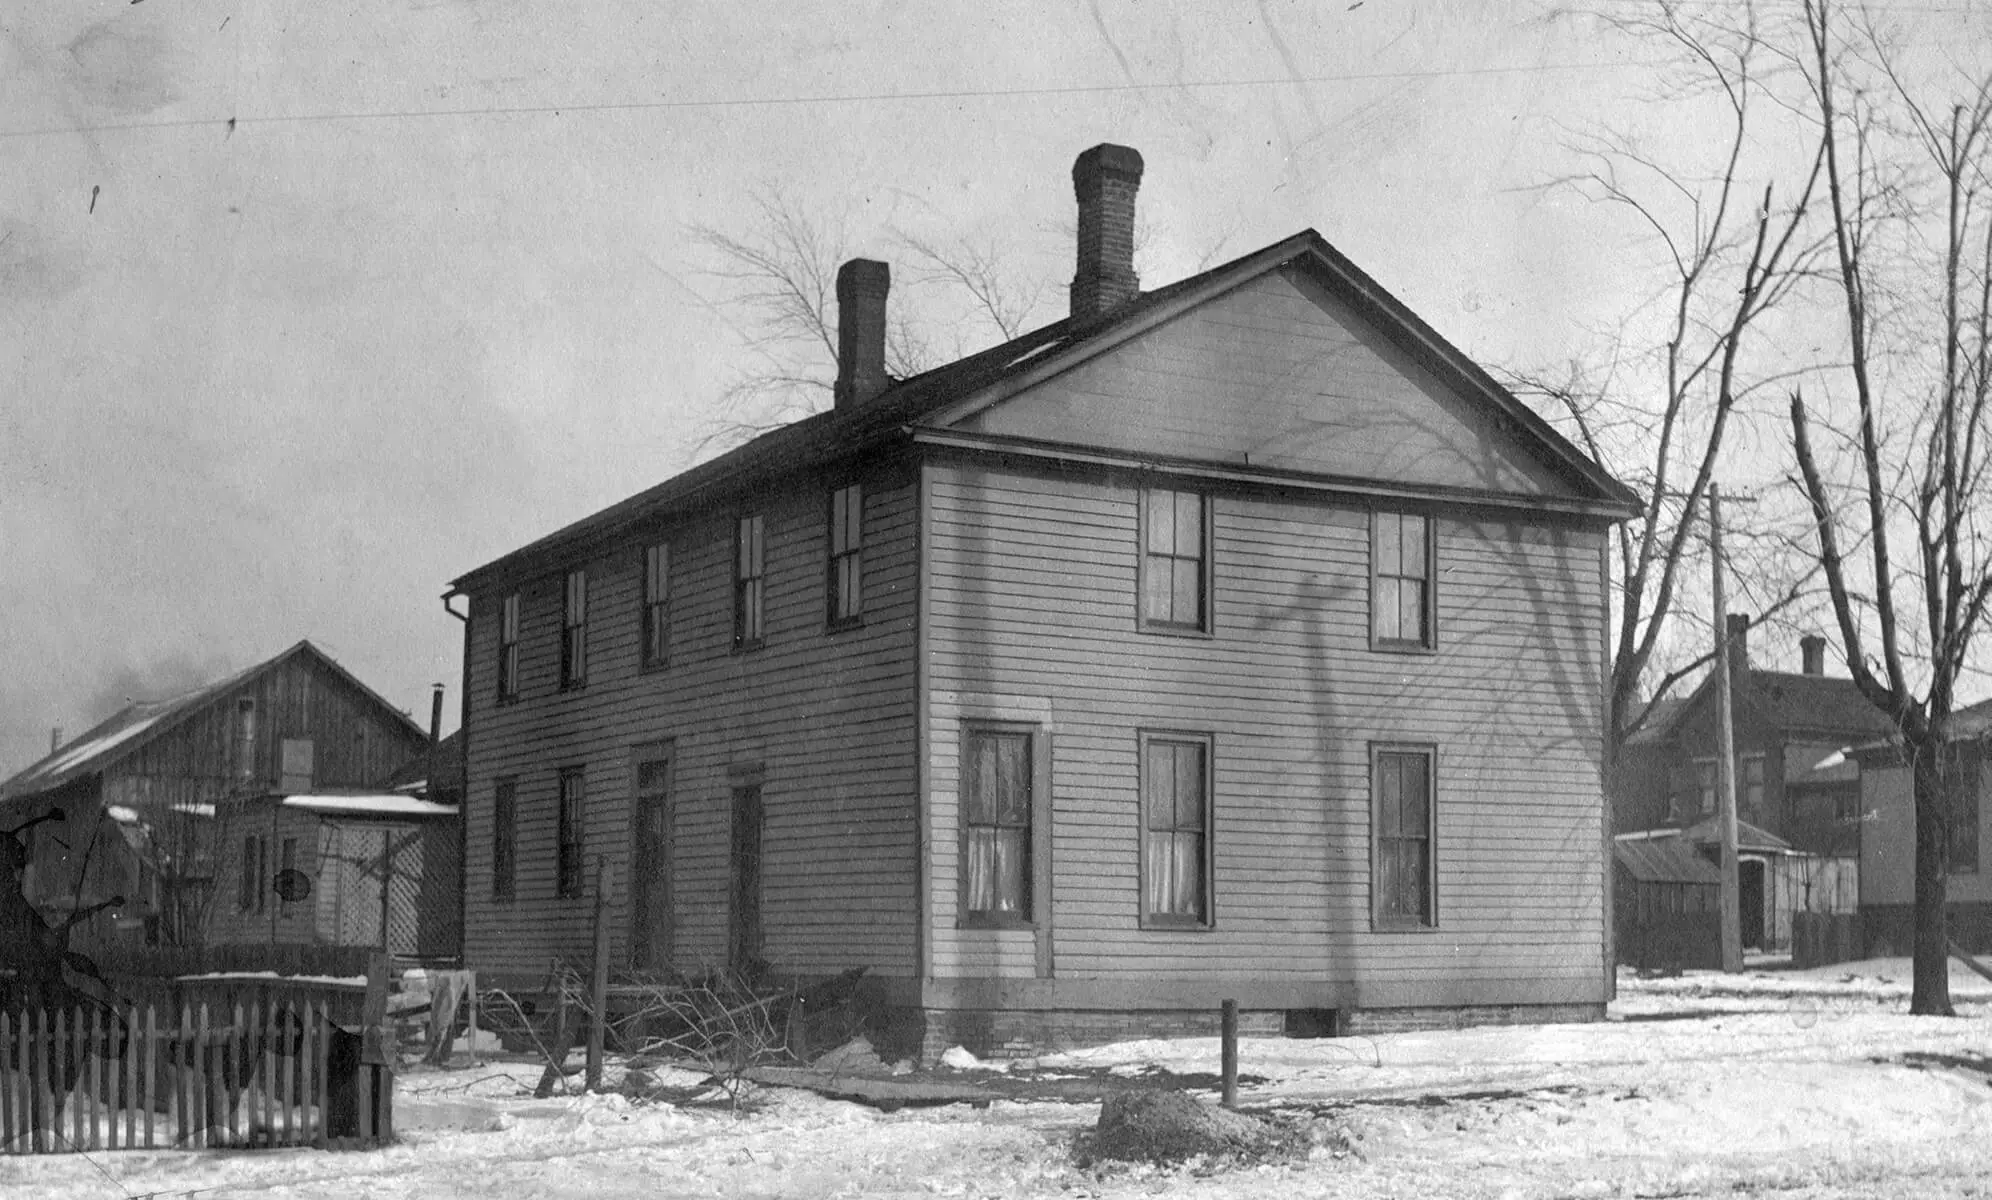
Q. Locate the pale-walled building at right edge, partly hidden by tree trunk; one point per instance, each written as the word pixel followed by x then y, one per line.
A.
pixel 1889 842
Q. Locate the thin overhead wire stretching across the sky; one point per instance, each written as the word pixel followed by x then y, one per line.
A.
pixel 826 99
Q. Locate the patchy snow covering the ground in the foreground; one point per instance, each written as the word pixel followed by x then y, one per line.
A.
pixel 1792 1083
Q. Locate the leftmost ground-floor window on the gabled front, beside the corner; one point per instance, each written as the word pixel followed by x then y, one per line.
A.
pixel 997 800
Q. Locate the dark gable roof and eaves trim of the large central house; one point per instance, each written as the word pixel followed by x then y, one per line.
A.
pixel 927 406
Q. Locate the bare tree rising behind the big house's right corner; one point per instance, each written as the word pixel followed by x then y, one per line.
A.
pixel 1660 414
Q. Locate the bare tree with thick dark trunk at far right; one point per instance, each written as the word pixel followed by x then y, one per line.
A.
pixel 1913 250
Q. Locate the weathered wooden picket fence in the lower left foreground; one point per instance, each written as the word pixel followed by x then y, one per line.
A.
pixel 260 1071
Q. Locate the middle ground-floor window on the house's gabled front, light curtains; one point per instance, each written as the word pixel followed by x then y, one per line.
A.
pixel 1176 830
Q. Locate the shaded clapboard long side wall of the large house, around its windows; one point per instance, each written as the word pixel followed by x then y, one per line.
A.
pixel 828 719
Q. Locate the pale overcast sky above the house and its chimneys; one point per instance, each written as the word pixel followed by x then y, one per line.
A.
pixel 310 308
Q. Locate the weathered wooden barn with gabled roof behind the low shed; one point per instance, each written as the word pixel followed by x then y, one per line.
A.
pixel 142 788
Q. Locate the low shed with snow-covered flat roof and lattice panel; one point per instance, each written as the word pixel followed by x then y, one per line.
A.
pixel 340 868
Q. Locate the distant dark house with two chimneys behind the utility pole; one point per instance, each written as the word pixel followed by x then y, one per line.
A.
pixel 1796 786
